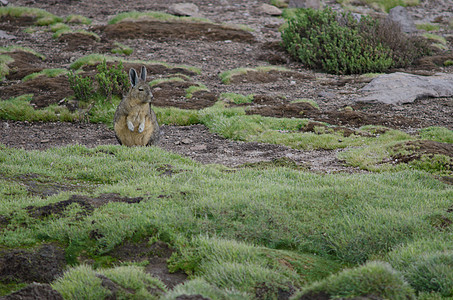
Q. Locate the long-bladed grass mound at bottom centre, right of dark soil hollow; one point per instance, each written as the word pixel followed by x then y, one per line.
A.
pixel 229 264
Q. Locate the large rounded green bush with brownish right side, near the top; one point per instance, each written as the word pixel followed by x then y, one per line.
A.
pixel 339 44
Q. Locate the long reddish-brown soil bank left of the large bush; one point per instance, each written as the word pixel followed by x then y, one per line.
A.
pixel 175 30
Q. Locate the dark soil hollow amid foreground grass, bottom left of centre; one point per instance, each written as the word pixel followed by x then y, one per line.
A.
pixel 157 254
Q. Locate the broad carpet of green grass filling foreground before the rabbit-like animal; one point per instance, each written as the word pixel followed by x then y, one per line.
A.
pixel 232 231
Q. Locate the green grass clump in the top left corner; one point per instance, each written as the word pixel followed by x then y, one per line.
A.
pixel 43 18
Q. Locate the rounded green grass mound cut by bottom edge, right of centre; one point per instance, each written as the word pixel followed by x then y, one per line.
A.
pixel 373 279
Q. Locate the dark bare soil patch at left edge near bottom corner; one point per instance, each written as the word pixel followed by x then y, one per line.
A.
pixel 43 264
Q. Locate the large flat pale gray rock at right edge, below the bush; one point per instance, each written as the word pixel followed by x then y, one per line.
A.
pixel 400 88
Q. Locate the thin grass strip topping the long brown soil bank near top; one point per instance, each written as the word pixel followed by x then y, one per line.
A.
pixel 152 15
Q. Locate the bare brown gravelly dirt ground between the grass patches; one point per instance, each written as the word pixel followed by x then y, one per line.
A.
pixel 213 49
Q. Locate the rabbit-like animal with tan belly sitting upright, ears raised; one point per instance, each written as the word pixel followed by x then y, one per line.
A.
pixel 135 109
